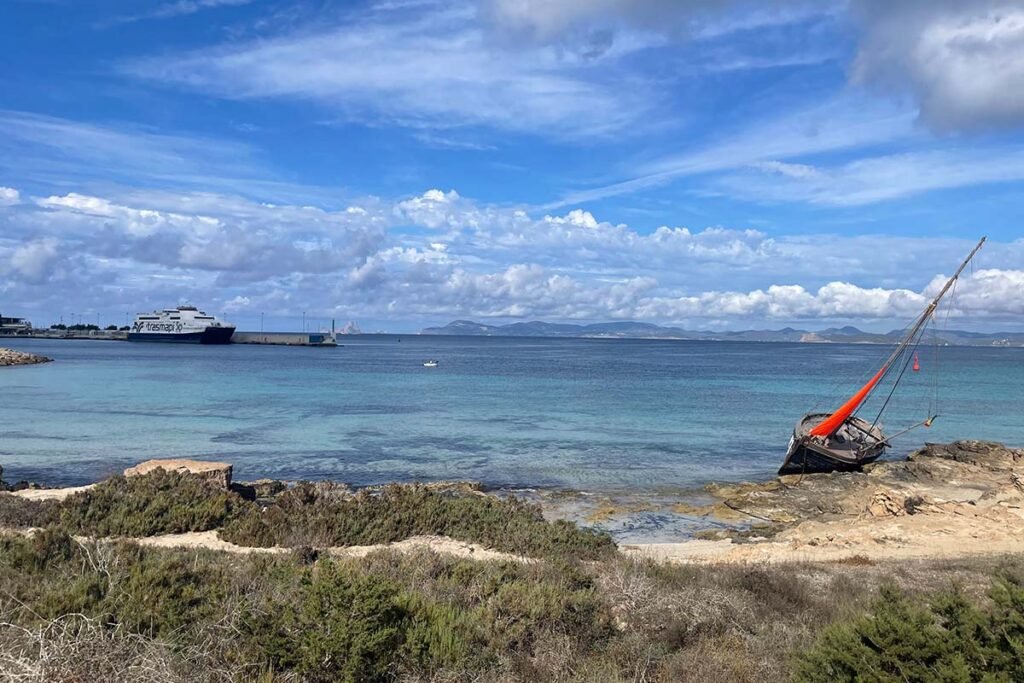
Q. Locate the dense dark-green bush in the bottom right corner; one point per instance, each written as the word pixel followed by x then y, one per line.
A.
pixel 949 641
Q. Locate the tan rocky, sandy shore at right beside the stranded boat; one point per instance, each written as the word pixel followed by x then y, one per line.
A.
pixel 954 500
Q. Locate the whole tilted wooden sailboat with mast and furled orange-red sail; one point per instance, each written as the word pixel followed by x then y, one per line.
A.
pixel 843 442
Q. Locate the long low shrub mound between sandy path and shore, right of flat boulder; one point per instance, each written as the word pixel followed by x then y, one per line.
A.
pixel 311 516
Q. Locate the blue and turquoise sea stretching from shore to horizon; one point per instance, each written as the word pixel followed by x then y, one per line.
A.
pixel 592 415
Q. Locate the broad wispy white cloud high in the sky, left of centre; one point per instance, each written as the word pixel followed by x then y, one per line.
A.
pixel 433 69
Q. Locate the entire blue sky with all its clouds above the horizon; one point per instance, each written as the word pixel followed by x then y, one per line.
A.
pixel 710 164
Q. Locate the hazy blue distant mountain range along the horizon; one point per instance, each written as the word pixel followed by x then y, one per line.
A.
pixel 650 331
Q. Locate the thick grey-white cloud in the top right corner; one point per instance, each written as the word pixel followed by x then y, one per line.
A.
pixel 963 63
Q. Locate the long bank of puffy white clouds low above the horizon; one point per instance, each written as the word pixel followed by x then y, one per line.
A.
pixel 442 255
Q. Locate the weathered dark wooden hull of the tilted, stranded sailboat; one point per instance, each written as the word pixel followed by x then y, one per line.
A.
pixel 857 444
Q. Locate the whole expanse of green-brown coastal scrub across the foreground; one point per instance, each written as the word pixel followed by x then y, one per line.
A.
pixel 79 604
